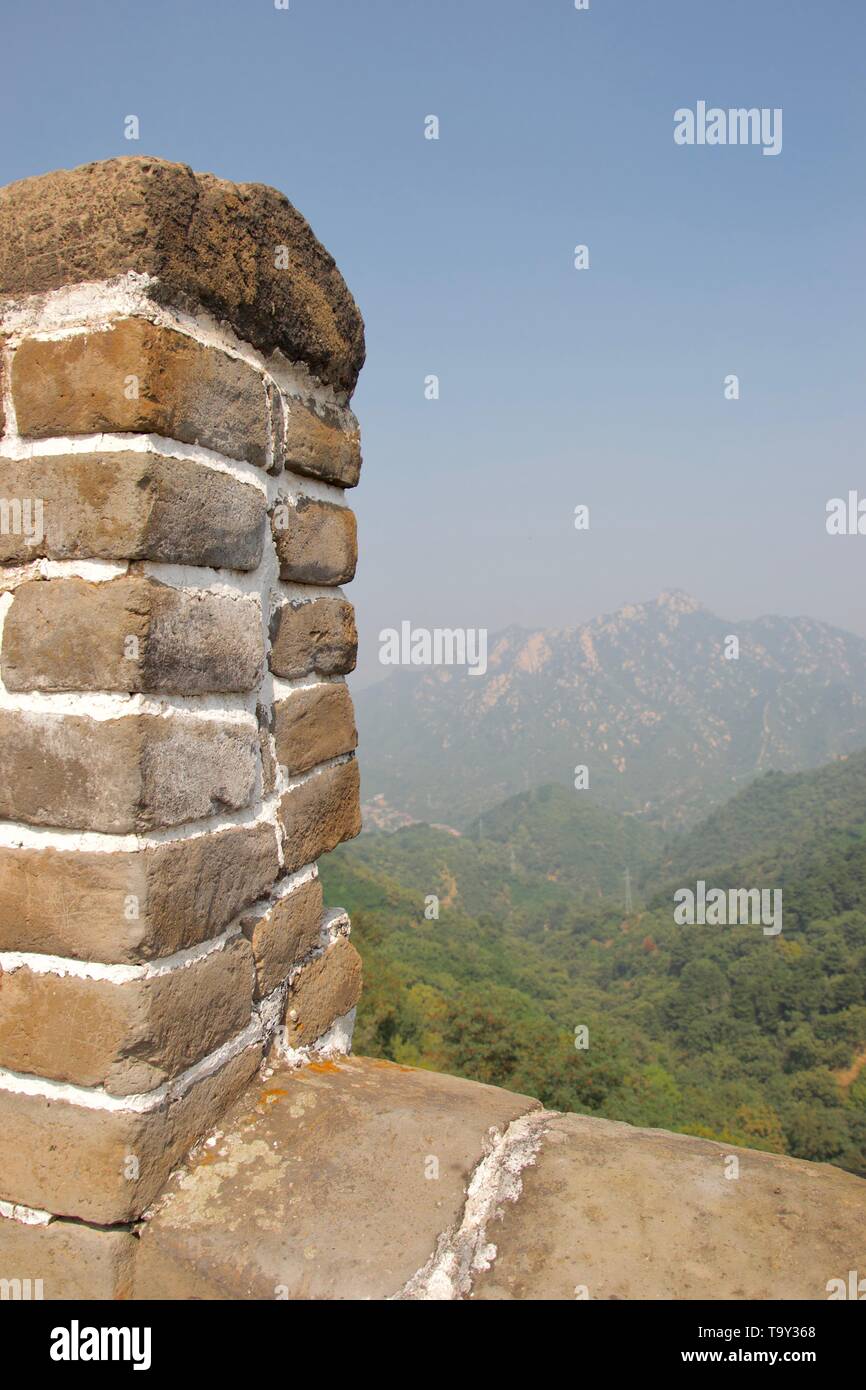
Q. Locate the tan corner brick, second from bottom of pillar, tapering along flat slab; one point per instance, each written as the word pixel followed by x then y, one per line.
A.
pixel 79 1161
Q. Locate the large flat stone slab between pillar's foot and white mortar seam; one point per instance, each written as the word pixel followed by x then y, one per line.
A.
pixel 338 1206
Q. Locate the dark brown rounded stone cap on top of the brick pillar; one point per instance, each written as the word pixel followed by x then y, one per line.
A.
pixel 206 243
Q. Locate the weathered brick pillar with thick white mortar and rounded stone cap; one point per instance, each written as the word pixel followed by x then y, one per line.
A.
pixel 177 357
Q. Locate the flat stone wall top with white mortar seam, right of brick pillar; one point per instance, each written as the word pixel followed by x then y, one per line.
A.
pixel 361 1179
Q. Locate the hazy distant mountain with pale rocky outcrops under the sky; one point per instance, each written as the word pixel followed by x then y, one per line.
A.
pixel 644 698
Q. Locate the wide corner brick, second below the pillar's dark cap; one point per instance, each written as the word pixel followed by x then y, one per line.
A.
pixel 130 507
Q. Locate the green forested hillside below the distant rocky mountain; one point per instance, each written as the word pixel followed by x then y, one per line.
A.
pixel 714 1031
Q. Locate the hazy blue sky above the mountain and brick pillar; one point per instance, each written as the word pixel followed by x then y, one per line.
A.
pixel 558 387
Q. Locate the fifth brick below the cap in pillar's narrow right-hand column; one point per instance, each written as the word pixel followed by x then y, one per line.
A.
pixel 320 814
